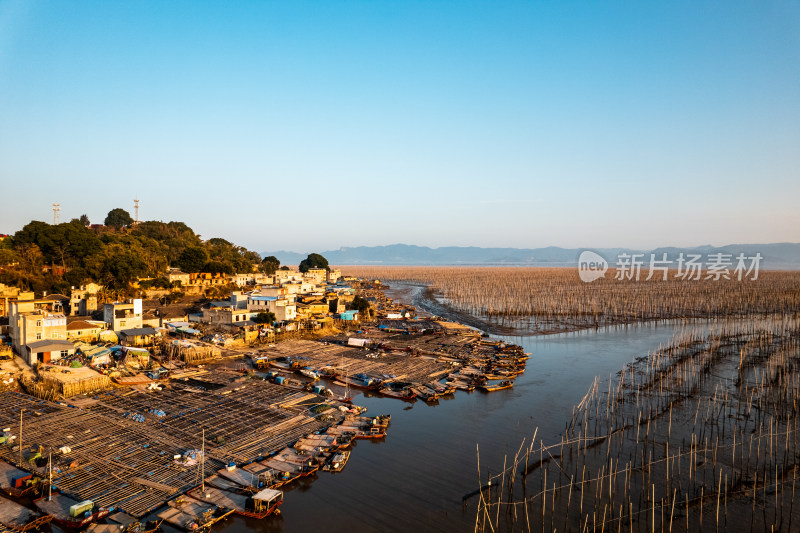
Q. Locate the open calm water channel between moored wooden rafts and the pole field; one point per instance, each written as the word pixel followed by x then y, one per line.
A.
pixel 415 479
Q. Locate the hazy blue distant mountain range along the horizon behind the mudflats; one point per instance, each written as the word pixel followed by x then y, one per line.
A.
pixel 782 256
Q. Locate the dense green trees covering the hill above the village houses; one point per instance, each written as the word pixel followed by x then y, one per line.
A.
pixel 53 257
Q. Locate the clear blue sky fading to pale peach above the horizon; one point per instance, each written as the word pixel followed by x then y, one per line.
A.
pixel 308 126
